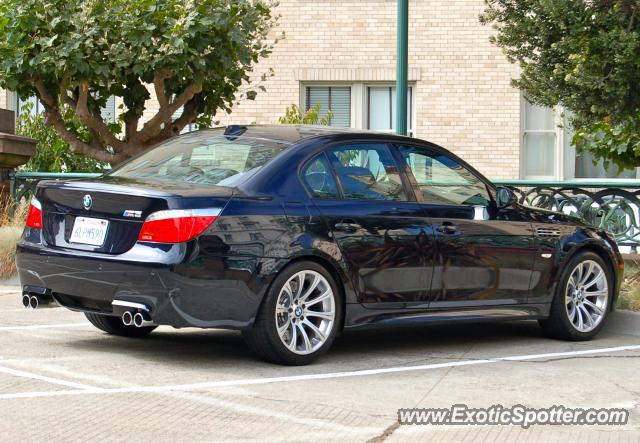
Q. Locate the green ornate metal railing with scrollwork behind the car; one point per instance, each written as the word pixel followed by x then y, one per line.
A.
pixel 611 205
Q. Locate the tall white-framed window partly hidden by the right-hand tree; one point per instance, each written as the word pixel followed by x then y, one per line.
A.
pixel 547 152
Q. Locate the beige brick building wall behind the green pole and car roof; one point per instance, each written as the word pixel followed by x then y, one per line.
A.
pixel 464 100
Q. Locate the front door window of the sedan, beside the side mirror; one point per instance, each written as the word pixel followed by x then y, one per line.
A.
pixel 442 180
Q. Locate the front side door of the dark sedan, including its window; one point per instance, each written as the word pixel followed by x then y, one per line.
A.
pixel 485 254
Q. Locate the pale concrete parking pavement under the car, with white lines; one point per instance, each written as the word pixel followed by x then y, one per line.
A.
pixel 61 379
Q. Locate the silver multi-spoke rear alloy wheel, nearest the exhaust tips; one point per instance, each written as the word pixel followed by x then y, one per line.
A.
pixel 305 312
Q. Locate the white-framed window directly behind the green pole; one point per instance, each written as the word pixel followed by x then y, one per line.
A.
pixel 381 108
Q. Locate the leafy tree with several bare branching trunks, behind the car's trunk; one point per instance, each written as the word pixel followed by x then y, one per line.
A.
pixel 75 54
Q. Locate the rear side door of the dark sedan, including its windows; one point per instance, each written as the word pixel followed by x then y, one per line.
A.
pixel 376 223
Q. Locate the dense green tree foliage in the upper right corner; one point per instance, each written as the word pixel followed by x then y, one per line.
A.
pixel 583 55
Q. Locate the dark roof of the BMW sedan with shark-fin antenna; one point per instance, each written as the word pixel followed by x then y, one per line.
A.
pixel 292 134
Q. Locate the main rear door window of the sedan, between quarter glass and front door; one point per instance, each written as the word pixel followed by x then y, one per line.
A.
pixel 367 172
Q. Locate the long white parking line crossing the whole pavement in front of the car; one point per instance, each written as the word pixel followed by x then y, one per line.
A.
pixel 322 376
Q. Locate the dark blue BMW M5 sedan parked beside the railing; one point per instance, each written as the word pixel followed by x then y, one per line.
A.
pixel 294 233
